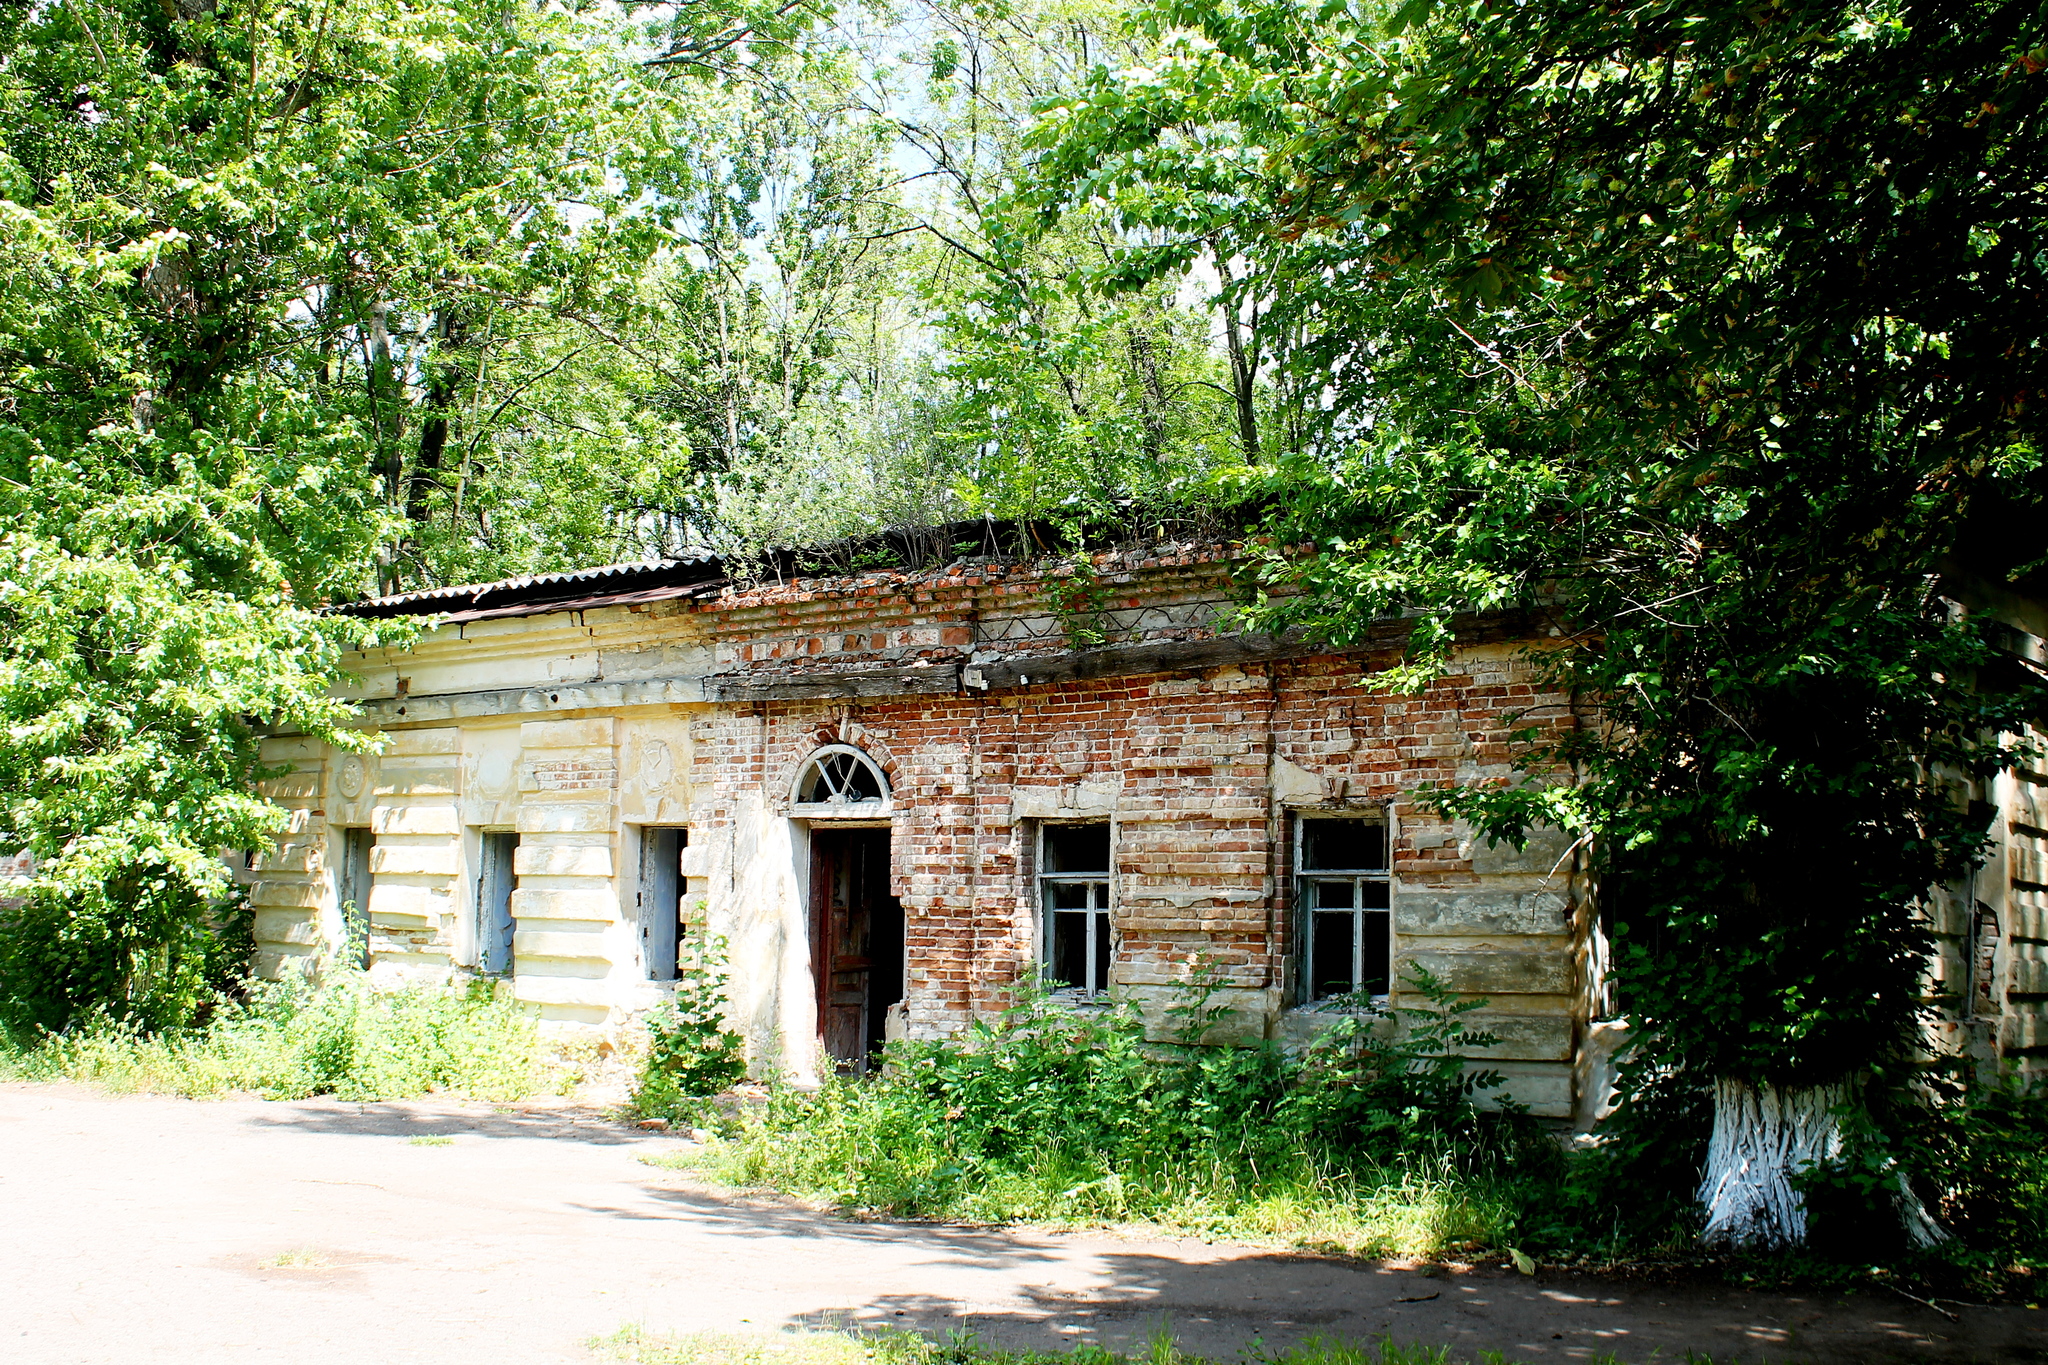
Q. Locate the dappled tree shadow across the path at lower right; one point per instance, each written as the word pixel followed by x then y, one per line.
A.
pixel 1224 1303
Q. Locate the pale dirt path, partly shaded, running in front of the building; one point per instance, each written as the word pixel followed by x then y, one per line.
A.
pixel 169 1231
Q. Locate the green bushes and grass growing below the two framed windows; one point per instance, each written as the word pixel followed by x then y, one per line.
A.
pixel 1371 1143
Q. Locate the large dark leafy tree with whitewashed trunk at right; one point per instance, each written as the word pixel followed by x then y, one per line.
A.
pixel 1705 337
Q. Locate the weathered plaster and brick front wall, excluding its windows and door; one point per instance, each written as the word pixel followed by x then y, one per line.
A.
pixel 581 728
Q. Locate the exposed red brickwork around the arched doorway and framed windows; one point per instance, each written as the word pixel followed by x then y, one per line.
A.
pixel 1181 762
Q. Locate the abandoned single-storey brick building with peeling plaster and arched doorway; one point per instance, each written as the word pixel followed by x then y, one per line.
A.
pixel 896 791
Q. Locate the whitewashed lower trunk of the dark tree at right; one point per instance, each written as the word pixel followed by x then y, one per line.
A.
pixel 1762 1139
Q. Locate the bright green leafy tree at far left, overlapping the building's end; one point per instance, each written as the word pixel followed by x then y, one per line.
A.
pixel 247 261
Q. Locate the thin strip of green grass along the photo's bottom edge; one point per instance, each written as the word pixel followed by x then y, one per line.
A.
pixel 640 1348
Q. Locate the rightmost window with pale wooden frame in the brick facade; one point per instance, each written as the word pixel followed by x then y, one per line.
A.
pixel 1342 906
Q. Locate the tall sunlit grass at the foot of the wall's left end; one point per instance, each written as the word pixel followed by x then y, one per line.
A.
pixel 294 1039
